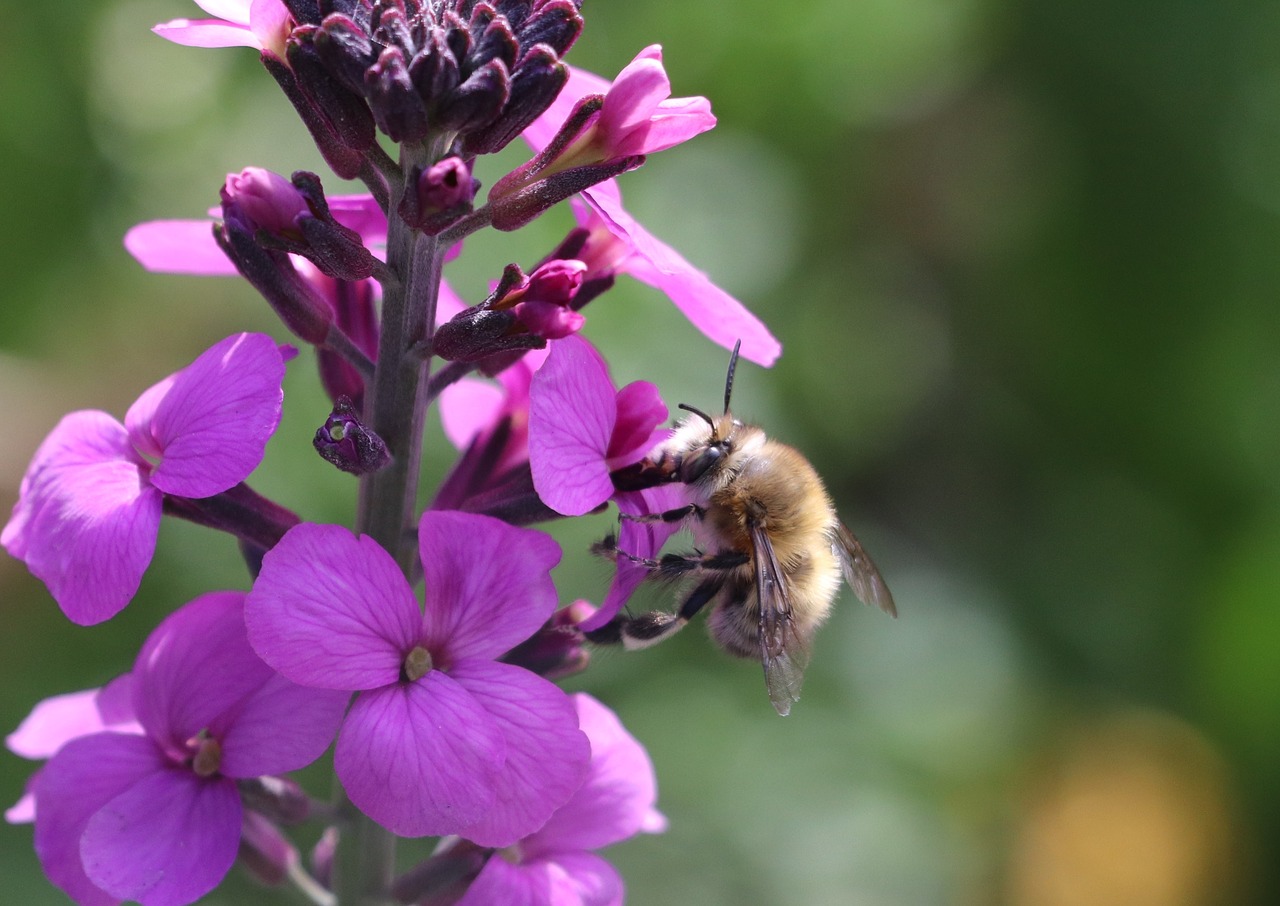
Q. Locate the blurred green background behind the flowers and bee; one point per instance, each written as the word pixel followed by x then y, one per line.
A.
pixel 1023 260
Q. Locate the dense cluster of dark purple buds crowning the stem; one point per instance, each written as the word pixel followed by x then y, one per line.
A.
pixel 483 70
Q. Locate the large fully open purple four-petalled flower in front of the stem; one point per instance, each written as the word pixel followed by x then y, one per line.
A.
pixel 442 740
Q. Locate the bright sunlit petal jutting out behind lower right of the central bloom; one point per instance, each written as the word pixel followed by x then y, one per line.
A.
pixel 618 797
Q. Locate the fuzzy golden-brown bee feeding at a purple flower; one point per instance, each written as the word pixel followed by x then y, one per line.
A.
pixel 772 547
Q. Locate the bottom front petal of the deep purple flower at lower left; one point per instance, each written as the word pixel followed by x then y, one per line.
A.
pixel 166 841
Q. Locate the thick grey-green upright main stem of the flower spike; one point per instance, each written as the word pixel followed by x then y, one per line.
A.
pixel 396 410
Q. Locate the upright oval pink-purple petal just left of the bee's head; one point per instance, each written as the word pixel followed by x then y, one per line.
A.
pixel 572 414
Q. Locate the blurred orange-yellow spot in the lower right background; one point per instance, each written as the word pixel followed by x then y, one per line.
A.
pixel 1132 812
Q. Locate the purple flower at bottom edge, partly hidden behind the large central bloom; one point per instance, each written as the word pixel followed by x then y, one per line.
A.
pixel 556 866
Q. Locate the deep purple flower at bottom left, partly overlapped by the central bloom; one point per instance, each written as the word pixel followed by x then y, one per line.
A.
pixel 158 817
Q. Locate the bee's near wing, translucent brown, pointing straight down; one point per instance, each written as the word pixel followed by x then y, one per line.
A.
pixel 783 651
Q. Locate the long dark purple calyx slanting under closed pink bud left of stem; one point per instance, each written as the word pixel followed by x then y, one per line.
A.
pixel 273 274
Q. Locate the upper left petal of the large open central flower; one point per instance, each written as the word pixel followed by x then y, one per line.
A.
pixel 332 611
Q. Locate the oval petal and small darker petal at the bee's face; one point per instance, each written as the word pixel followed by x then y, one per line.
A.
pixel 582 429
